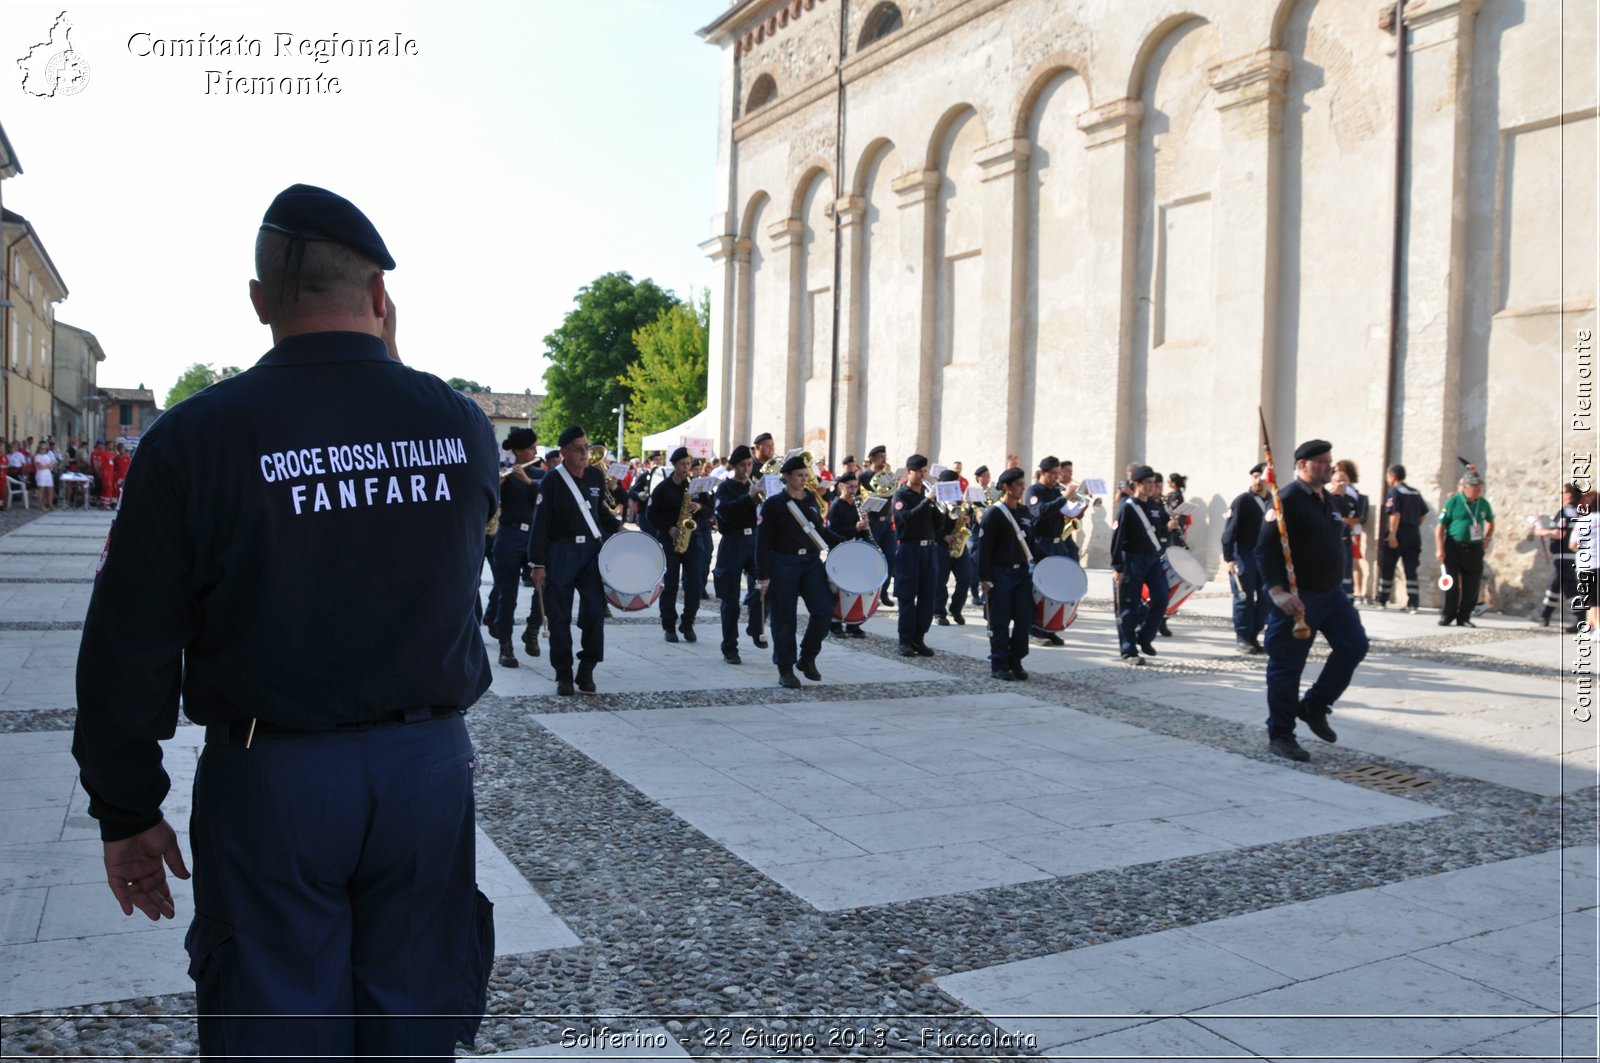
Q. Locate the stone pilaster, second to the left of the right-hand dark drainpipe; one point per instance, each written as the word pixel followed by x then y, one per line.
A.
pixel 1113 247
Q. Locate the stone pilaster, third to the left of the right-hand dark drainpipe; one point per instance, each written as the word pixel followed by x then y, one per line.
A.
pixel 1004 169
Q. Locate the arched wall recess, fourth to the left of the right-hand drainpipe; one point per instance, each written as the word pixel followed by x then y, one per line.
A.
pixel 958 278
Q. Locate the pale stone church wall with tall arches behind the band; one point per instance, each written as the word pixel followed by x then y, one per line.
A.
pixel 1113 230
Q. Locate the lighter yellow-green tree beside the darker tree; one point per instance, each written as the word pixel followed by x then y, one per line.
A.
pixel 668 383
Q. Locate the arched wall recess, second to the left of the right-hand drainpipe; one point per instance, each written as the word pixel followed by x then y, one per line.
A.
pixel 1175 319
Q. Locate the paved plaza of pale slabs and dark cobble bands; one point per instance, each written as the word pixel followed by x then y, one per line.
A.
pixel 911 859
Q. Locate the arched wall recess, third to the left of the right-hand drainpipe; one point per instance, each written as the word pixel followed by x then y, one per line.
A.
pixel 1055 292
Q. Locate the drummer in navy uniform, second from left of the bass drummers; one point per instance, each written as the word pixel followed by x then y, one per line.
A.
pixel 790 568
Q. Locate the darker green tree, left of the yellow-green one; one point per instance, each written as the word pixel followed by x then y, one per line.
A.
pixel 593 350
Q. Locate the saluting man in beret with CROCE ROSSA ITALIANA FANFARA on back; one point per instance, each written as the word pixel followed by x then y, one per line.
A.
pixel 268 529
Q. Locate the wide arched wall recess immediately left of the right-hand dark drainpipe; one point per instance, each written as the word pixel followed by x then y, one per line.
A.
pixel 1335 222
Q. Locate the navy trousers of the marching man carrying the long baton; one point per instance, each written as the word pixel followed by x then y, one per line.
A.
pixel 1329 614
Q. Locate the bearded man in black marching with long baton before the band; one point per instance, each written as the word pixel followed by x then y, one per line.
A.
pixel 1316 545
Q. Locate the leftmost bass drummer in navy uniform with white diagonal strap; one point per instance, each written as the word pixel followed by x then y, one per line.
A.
pixel 569 529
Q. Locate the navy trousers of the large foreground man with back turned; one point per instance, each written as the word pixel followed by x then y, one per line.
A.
pixel 335 881
